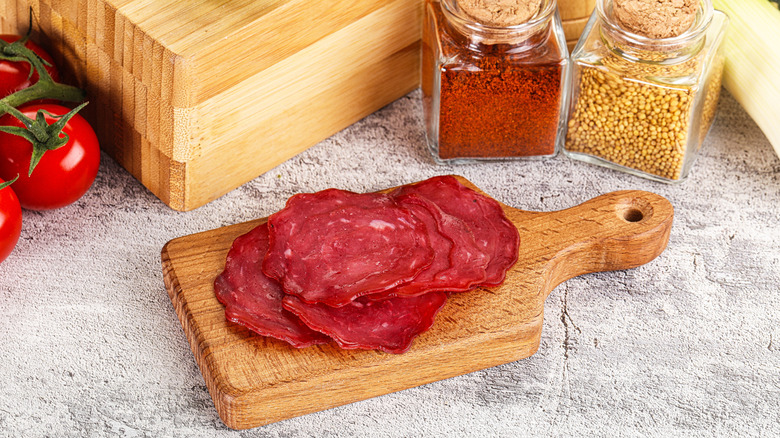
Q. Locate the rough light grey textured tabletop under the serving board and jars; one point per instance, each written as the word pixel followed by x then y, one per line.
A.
pixel 688 345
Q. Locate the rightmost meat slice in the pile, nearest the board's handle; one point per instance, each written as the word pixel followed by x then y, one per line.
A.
pixel 494 233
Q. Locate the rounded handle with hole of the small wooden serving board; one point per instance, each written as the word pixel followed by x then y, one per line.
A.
pixel 615 231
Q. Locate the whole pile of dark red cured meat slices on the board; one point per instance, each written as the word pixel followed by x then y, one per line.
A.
pixel 370 271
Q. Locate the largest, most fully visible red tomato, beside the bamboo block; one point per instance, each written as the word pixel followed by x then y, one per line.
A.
pixel 63 175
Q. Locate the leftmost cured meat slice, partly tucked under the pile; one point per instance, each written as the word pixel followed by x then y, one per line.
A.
pixel 254 300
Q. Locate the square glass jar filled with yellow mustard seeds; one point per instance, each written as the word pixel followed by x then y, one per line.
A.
pixel 645 90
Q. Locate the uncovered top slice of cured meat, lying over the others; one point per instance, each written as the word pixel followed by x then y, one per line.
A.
pixel 333 246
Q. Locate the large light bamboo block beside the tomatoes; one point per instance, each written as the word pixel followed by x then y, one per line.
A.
pixel 211 85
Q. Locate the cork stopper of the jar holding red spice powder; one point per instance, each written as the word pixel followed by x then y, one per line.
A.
pixel 500 13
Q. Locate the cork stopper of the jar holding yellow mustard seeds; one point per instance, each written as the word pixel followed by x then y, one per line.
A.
pixel 655 18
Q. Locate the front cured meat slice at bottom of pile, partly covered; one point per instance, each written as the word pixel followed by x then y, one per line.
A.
pixel 389 325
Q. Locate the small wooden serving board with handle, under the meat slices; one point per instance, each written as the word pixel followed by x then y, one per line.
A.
pixel 255 380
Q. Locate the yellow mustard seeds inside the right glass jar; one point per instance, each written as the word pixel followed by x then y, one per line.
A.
pixel 622 118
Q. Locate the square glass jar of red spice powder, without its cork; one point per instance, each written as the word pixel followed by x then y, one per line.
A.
pixel 493 92
